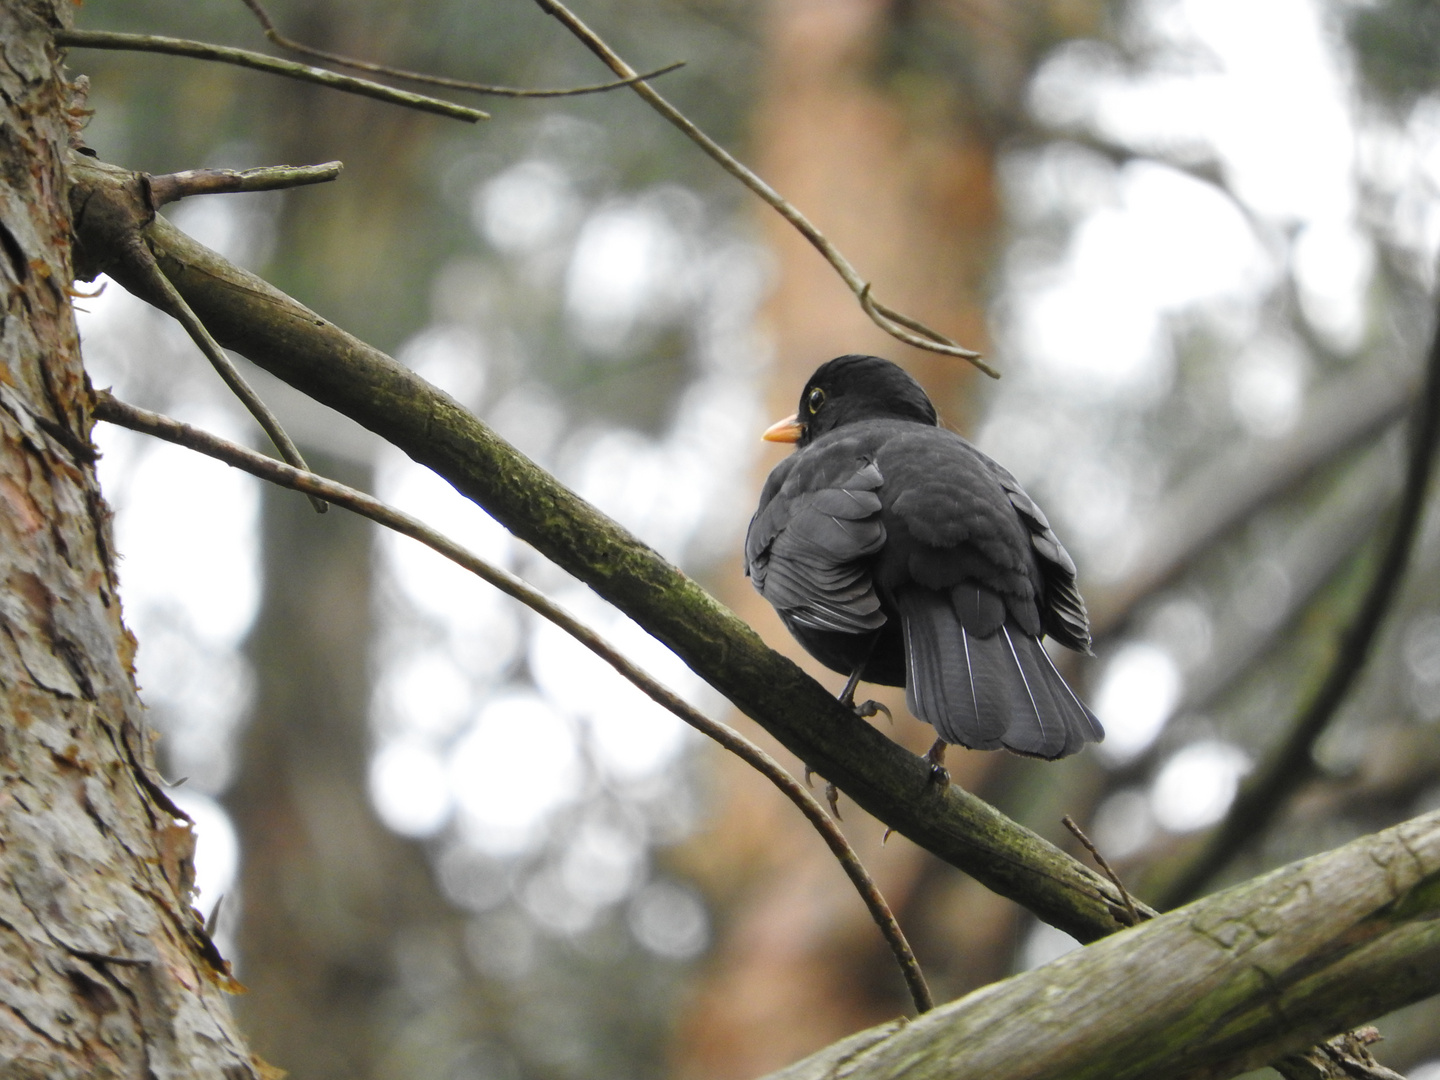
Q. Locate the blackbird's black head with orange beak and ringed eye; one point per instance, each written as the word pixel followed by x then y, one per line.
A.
pixel 853 388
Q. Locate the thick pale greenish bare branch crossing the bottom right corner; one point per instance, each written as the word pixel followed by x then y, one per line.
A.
pixel 1226 986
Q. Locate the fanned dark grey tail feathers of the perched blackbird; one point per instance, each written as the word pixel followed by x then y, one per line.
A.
pixel 989 685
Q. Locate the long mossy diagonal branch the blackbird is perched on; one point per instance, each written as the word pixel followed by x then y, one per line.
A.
pixel 320 359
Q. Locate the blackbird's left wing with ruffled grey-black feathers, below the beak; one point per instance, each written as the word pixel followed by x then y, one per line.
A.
pixel 813 542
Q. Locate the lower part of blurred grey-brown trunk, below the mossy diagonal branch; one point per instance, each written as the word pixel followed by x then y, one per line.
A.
pixel 355 961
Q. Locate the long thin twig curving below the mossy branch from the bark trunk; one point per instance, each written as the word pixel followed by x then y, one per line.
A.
pixel 109 408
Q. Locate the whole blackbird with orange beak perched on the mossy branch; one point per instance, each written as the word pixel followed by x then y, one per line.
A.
pixel 901 555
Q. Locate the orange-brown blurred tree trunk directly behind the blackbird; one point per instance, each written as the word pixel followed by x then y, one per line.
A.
pixel 912 202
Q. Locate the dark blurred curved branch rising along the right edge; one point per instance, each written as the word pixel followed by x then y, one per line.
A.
pixel 1294 764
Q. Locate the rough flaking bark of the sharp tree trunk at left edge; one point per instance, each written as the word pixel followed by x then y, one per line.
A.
pixel 106 970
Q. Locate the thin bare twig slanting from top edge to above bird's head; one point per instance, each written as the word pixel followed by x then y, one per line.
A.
pixel 898 326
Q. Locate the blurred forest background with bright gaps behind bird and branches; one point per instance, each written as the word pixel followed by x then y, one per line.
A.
pixel 1192 235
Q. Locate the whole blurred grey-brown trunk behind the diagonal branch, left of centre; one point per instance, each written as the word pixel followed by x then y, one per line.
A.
pixel 355 958
